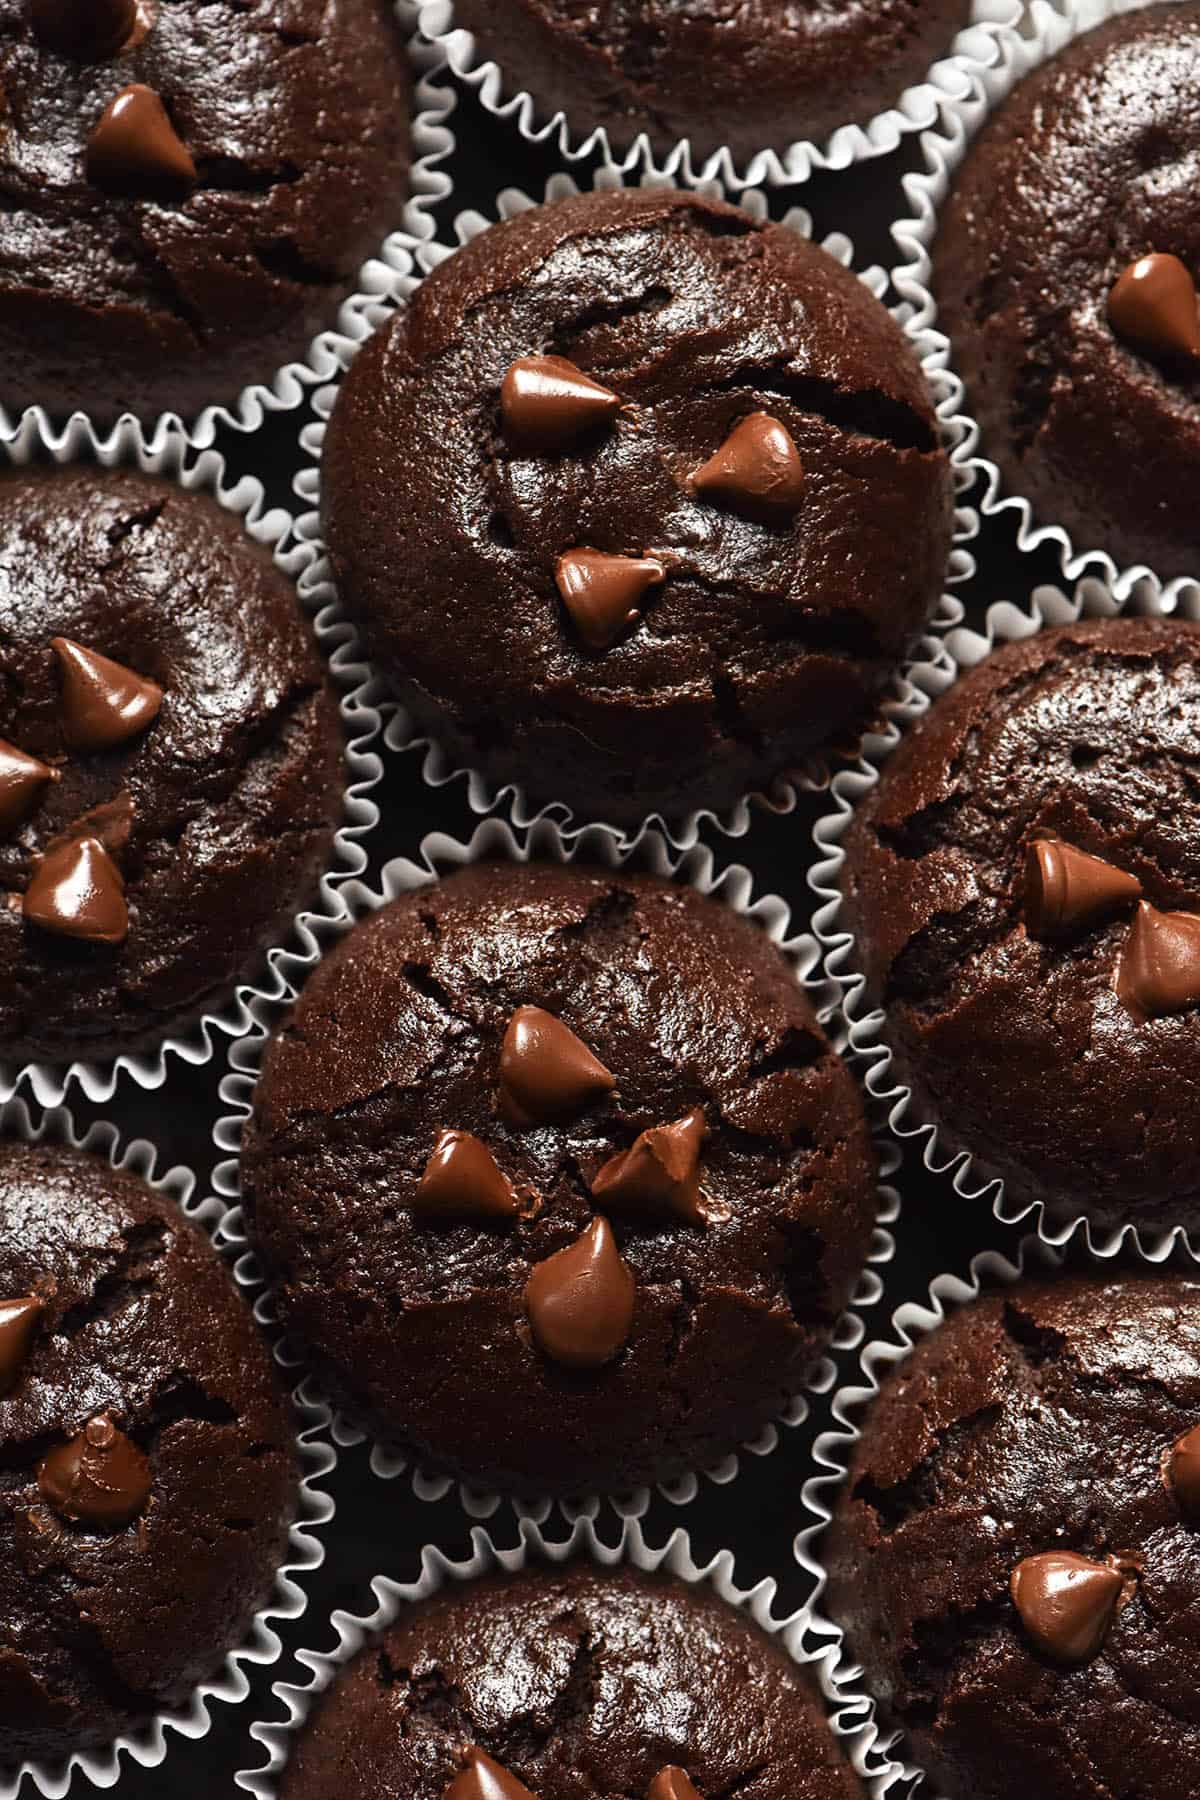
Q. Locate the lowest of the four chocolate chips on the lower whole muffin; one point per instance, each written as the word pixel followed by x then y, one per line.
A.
pixel 580 1300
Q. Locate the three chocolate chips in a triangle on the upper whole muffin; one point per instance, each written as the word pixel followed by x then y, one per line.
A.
pixel 551 406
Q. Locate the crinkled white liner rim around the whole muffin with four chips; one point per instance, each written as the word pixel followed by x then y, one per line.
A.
pixel 440 856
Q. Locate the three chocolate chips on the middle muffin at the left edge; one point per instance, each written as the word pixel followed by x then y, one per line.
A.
pixel 76 890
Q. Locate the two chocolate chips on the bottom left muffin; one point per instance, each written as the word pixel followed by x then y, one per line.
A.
pixel 98 1479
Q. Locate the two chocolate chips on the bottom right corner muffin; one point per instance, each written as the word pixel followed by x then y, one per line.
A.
pixel 1068 1601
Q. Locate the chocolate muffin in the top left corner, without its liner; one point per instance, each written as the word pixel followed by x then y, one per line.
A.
pixel 190 192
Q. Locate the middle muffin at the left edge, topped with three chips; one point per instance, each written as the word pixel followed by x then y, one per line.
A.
pixel 170 760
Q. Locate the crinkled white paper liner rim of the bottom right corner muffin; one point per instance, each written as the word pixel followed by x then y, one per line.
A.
pixel 911 1322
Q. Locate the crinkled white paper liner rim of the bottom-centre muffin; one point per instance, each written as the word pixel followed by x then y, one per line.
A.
pixel 676 1556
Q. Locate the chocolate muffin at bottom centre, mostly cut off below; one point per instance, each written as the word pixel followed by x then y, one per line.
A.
pixel 571 1680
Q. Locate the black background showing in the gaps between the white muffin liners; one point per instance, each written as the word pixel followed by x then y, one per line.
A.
pixel 381 1527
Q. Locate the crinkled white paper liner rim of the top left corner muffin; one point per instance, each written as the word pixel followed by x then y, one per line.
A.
pixel 375 283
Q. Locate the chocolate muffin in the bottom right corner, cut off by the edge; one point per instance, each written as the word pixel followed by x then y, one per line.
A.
pixel 1016 1552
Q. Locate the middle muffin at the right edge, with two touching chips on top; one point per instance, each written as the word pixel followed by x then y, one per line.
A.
pixel 1025 886
